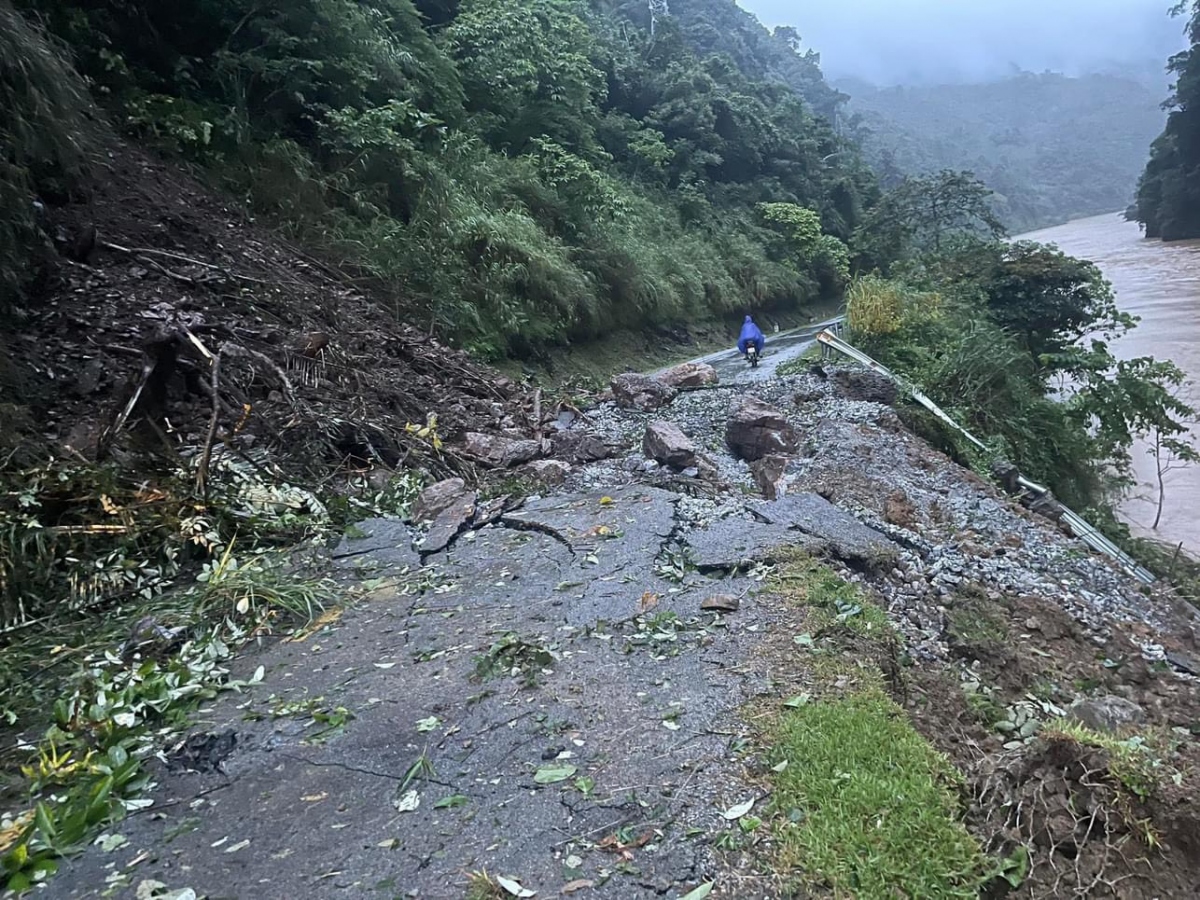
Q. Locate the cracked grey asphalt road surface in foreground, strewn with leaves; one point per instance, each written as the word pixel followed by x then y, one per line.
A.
pixel 551 639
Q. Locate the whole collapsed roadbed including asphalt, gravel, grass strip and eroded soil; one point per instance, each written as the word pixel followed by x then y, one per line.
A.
pixel 583 692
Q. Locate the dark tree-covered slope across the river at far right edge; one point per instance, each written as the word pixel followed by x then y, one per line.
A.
pixel 1169 193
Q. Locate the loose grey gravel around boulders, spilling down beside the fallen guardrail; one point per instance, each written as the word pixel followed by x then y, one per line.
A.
pixel 964 531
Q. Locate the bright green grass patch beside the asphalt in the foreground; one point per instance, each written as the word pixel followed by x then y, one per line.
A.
pixel 868 808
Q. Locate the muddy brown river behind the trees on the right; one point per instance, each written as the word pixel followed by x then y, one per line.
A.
pixel 1160 284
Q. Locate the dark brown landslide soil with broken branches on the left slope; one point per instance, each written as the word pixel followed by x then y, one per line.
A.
pixel 328 373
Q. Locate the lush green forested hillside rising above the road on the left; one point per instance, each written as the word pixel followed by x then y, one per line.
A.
pixel 513 171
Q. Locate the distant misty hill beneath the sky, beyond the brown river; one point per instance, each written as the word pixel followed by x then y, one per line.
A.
pixel 1053 148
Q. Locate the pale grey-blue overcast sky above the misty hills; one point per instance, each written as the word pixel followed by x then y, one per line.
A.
pixel 915 41
